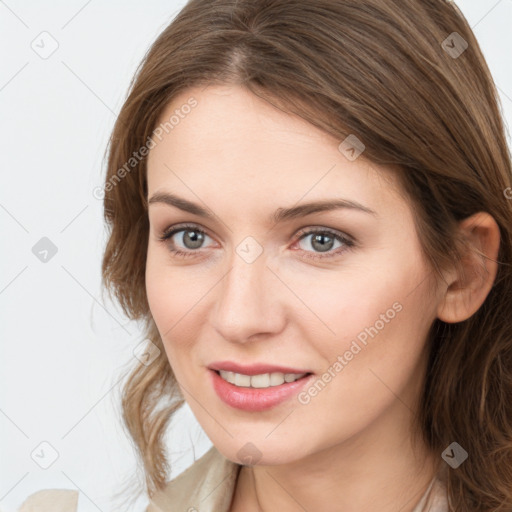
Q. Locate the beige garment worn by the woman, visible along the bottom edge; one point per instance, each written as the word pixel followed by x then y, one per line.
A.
pixel 206 486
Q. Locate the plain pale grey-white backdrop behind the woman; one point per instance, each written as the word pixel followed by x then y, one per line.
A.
pixel 63 348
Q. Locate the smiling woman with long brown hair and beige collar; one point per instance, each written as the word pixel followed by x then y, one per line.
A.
pixel 308 209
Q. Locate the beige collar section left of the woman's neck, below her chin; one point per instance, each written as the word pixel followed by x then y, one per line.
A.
pixel 207 485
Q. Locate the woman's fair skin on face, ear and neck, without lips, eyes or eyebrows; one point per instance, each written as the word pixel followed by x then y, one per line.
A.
pixel 350 447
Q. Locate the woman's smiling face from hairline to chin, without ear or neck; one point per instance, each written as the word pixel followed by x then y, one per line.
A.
pixel 340 293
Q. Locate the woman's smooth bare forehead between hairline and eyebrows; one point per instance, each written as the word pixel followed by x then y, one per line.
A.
pixel 233 145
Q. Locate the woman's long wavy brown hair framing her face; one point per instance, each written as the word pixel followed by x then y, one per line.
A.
pixel 410 81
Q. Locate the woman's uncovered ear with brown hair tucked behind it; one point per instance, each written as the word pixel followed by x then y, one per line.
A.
pixel 466 291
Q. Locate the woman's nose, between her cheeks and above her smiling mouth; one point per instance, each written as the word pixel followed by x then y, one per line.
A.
pixel 248 301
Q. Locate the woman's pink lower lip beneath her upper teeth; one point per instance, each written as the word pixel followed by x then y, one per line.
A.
pixel 255 399
